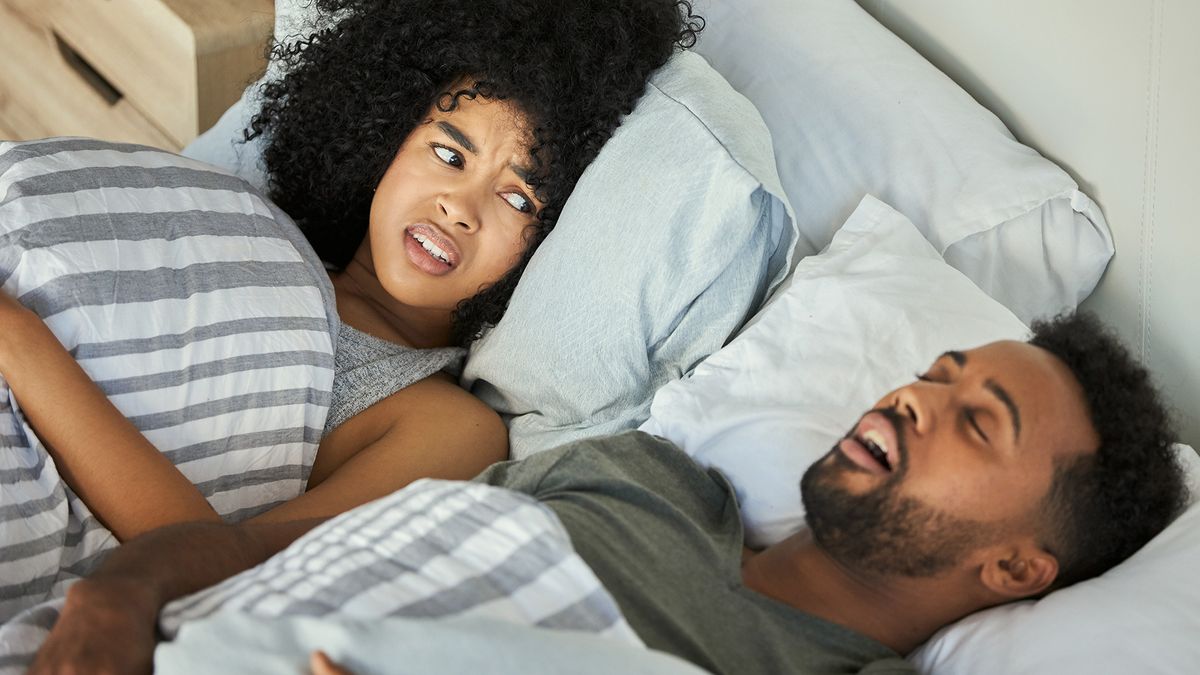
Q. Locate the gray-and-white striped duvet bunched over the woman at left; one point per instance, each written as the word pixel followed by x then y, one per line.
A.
pixel 193 302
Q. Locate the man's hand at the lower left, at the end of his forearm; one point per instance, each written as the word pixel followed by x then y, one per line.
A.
pixel 106 628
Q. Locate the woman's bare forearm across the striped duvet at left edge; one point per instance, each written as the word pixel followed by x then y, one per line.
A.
pixel 124 480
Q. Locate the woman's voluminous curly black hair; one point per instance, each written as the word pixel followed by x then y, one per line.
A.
pixel 369 71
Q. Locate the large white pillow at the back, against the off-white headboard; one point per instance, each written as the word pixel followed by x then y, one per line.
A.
pixel 854 111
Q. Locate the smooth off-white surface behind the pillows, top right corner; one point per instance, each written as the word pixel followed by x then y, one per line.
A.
pixel 1111 91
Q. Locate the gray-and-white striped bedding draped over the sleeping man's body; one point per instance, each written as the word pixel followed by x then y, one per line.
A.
pixel 434 551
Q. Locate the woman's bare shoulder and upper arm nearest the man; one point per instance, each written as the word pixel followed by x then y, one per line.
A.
pixel 431 429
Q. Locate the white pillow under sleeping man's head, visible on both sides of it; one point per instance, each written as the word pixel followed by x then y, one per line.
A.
pixel 851 325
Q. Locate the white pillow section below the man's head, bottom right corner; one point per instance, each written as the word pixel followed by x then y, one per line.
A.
pixel 1141 617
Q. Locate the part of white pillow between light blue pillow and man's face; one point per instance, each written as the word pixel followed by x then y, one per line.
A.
pixel 850 325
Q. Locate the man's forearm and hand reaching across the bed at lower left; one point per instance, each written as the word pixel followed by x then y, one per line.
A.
pixel 109 623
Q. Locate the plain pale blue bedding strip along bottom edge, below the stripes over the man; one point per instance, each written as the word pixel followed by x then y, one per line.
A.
pixel 251 646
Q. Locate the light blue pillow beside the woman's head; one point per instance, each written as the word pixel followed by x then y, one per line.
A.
pixel 670 241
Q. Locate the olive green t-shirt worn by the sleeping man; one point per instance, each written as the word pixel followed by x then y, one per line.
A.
pixel 665 539
